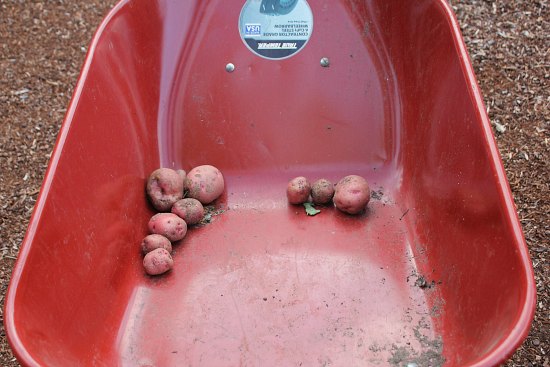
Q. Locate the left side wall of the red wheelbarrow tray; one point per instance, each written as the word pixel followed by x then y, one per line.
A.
pixel 72 291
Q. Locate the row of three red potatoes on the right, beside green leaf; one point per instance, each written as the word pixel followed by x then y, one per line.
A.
pixel 350 195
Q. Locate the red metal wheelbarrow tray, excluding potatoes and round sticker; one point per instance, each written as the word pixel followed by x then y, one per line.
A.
pixel 264 284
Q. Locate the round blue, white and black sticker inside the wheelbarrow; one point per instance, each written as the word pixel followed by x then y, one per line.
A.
pixel 275 29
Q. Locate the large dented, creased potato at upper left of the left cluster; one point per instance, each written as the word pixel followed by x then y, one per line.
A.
pixel 164 188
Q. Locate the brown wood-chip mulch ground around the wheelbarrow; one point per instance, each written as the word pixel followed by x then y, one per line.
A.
pixel 43 45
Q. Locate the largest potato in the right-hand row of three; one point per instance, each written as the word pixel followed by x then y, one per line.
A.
pixel 352 194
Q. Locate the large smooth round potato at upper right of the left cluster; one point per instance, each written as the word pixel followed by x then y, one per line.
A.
pixel 204 183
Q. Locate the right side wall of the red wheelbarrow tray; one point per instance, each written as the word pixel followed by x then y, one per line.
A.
pixel 459 202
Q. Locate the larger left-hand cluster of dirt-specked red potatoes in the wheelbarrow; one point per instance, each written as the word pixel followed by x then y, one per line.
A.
pixel 179 198
